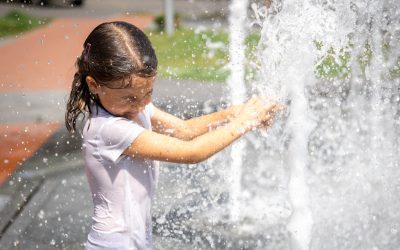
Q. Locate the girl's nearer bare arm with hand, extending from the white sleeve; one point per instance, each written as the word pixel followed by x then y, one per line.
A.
pixel 152 145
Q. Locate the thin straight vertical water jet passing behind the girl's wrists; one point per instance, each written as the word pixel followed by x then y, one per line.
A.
pixel 237 19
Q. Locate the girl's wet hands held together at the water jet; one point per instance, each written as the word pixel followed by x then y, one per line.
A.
pixel 258 112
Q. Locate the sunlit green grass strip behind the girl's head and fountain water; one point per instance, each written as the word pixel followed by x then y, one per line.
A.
pixel 185 55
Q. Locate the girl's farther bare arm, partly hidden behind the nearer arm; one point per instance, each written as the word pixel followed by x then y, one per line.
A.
pixel 168 124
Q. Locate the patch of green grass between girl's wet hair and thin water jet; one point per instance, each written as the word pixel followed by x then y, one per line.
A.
pixel 185 55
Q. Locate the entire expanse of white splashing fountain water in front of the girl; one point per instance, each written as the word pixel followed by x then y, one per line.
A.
pixel 327 175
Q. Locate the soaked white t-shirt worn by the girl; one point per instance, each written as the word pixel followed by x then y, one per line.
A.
pixel 122 186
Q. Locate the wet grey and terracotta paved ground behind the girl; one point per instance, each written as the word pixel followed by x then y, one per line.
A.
pixel 44 197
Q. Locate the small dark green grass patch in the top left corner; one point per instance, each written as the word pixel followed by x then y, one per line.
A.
pixel 16 22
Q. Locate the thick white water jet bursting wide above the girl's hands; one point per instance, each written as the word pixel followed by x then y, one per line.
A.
pixel 289 62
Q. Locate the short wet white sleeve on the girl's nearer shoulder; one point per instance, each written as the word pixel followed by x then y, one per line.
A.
pixel 116 136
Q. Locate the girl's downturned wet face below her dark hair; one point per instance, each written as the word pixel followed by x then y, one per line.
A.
pixel 125 102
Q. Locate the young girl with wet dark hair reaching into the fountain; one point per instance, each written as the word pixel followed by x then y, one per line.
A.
pixel 125 134
